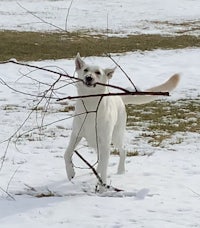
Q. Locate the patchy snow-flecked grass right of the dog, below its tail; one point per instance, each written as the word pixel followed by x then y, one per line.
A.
pixel 159 121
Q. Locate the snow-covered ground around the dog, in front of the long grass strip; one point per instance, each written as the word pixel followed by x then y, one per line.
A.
pixel 159 190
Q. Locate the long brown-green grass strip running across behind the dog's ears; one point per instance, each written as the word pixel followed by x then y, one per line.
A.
pixel 28 46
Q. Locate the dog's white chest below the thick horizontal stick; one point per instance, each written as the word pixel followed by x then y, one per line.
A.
pixel 96 121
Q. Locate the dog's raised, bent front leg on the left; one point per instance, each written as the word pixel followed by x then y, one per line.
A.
pixel 74 140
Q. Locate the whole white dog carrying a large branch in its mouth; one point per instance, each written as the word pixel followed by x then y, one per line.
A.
pixel 102 120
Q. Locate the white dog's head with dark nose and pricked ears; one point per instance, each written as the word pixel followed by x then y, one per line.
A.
pixel 92 75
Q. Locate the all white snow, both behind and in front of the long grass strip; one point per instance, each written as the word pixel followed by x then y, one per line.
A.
pixel 161 189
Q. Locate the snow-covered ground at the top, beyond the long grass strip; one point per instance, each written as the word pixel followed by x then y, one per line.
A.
pixel 124 17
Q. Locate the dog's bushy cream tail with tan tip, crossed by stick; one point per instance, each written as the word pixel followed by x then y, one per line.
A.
pixel 168 86
